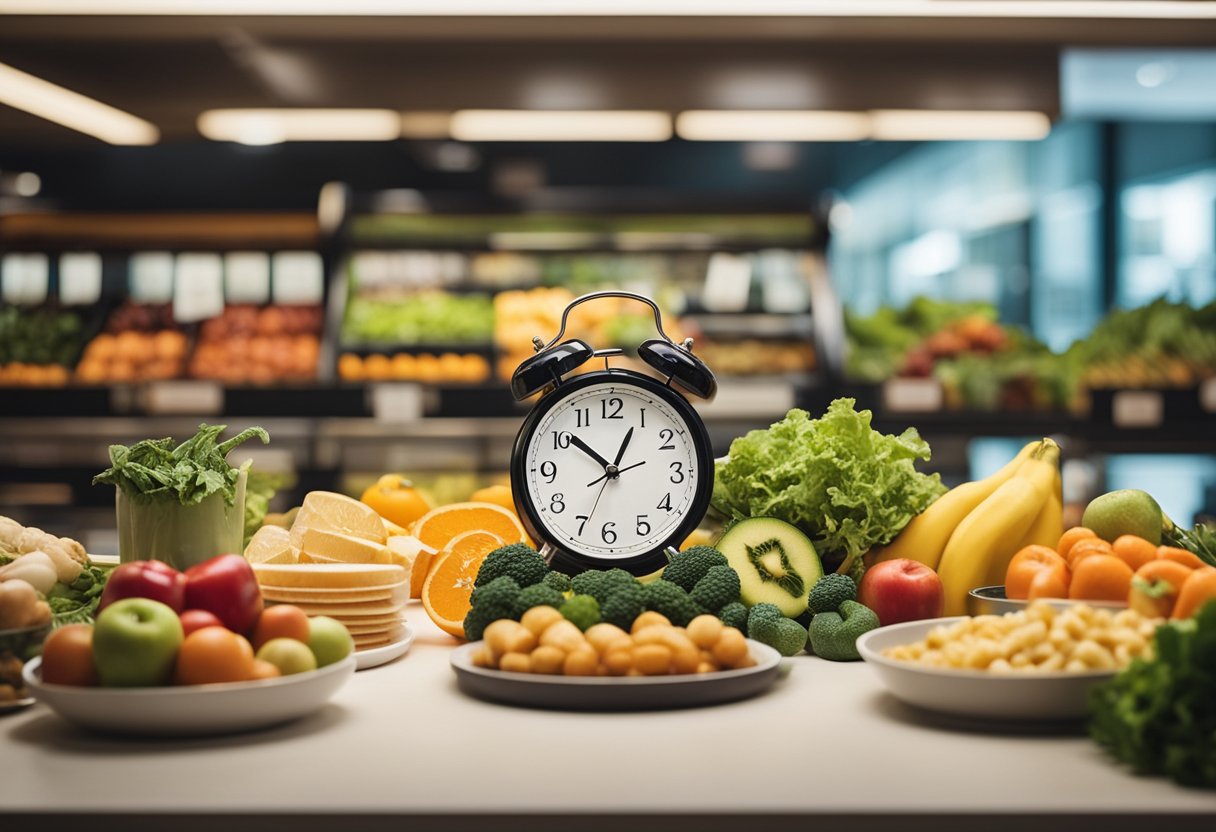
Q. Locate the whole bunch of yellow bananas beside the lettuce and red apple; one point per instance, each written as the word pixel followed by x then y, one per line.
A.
pixel 971 533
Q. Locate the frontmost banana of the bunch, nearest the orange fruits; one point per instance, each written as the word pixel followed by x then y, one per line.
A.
pixel 990 536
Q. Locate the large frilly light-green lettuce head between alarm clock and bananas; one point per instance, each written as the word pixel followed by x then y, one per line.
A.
pixel 842 484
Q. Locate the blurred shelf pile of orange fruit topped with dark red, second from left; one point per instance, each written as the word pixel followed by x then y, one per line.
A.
pixel 140 342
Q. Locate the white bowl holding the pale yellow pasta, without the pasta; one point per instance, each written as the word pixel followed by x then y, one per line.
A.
pixel 975 694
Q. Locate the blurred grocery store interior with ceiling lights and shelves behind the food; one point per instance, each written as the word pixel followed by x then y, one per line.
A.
pixel 347 222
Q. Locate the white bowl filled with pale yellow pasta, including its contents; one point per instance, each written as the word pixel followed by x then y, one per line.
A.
pixel 1038 664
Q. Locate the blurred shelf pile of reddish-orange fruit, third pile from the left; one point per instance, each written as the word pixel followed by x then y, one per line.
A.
pixel 260 346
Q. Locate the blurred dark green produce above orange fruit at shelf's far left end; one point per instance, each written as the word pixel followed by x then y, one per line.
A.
pixel 38 347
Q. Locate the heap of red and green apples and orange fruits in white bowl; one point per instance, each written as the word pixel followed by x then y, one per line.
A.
pixel 206 626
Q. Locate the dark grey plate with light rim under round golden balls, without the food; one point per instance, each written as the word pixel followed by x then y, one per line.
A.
pixel 616 693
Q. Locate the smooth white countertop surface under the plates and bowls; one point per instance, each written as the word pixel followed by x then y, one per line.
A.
pixel 401 740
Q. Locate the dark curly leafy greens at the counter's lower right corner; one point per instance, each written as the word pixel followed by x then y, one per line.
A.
pixel 1159 715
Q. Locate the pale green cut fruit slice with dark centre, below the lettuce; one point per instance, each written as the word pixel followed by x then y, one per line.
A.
pixel 776 564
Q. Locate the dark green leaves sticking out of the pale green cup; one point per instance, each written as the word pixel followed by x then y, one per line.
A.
pixel 190 473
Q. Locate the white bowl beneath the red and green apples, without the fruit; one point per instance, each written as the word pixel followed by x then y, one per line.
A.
pixel 195 710
